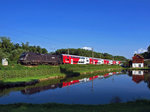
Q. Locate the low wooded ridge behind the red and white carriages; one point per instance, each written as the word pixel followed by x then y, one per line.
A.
pixel 88 53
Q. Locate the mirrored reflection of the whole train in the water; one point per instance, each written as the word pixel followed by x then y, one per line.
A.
pixel 65 84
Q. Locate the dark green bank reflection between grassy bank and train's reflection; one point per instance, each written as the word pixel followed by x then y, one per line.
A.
pixel 6 90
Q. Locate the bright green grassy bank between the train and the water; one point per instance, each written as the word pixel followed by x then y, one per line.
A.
pixel 19 73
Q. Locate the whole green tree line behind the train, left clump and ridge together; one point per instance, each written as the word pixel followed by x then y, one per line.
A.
pixel 12 51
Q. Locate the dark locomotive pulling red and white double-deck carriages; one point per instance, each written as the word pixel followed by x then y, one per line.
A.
pixel 37 59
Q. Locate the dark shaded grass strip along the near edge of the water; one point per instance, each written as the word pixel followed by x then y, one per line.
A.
pixel 137 106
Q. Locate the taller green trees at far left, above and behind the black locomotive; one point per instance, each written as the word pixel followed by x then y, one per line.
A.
pixel 13 51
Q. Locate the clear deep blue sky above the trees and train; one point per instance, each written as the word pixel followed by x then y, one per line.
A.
pixel 118 27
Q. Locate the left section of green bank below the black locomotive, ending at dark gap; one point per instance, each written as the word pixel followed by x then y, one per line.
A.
pixel 19 73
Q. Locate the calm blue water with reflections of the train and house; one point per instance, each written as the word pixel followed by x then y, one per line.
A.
pixel 97 89
